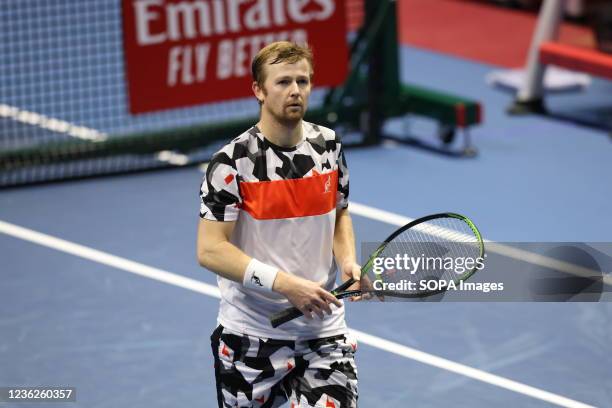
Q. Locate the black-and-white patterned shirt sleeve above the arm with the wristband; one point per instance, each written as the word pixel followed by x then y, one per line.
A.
pixel 219 192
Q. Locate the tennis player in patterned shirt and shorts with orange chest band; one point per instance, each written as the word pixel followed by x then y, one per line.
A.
pixel 273 218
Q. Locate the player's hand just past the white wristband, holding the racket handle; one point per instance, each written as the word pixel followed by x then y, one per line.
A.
pixel 308 296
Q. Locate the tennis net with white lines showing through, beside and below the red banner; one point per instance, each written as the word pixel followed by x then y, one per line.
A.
pixel 64 105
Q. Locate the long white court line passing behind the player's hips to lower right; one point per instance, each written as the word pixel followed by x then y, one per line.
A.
pixel 210 290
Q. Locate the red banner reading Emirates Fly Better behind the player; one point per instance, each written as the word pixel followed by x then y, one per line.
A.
pixel 187 52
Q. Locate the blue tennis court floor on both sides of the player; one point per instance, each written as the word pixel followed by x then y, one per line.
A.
pixel 100 288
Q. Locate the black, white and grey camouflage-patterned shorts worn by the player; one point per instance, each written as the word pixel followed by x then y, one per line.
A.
pixel 258 372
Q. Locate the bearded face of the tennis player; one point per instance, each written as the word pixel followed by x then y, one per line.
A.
pixel 285 91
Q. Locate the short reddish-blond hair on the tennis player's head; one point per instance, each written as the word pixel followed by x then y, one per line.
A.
pixel 277 52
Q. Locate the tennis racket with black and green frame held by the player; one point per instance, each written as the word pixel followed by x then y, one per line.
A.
pixel 431 252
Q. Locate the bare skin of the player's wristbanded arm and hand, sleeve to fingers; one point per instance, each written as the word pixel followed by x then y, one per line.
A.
pixel 218 254
